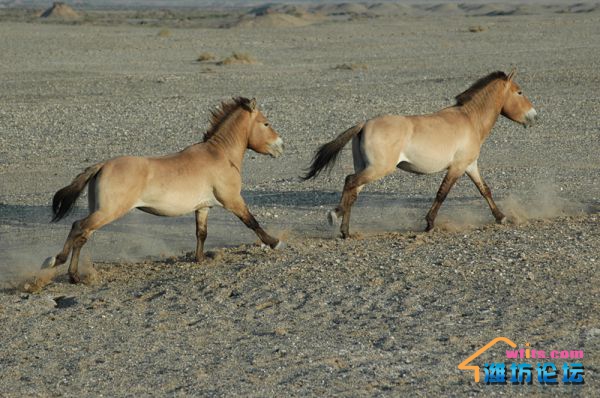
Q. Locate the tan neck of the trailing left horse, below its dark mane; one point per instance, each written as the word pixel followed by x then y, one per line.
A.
pixel 232 139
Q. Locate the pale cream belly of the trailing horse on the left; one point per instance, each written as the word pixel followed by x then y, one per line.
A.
pixel 171 206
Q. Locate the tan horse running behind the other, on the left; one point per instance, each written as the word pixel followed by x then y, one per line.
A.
pixel 200 176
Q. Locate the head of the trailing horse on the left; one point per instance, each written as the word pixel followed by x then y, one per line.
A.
pixel 262 138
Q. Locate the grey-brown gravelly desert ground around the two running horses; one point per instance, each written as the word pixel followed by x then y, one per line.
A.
pixel 391 312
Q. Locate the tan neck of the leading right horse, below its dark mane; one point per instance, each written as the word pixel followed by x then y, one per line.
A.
pixel 484 109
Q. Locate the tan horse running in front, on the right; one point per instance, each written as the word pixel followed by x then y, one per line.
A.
pixel 449 139
